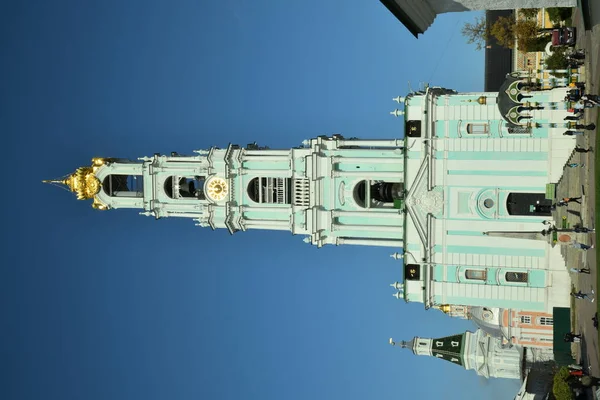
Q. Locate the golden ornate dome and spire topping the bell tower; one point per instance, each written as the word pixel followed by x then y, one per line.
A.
pixel 84 183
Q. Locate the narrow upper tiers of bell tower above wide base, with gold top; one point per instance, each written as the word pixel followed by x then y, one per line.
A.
pixel 332 190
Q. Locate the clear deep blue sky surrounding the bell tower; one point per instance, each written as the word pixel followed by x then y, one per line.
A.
pixel 112 305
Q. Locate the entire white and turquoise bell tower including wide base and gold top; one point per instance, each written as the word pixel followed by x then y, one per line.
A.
pixel 464 193
